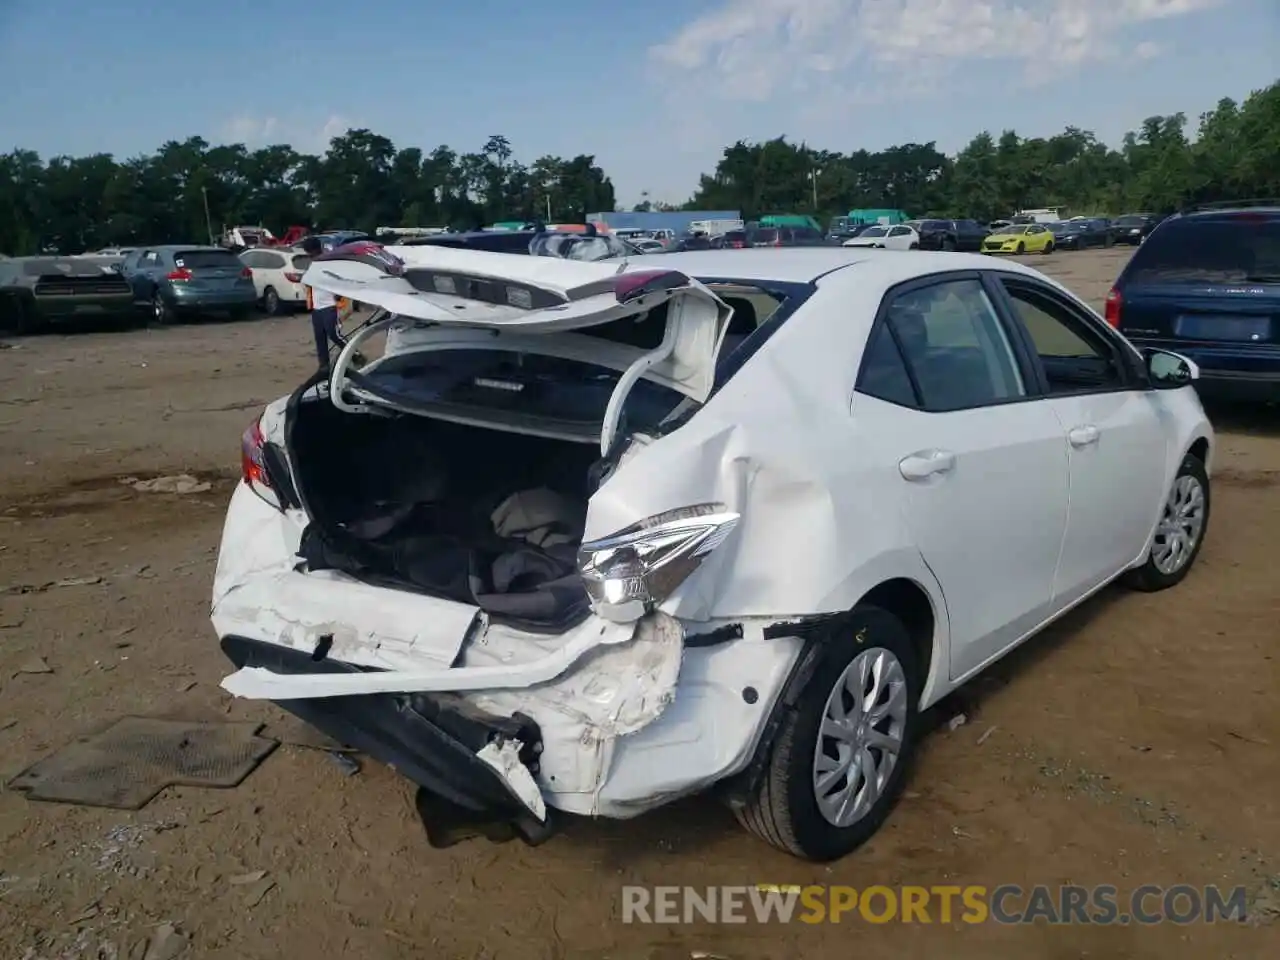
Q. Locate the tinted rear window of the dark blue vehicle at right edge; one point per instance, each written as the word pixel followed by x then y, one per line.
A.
pixel 1244 249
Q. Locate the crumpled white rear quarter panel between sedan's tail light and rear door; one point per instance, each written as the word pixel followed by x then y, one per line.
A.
pixel 780 445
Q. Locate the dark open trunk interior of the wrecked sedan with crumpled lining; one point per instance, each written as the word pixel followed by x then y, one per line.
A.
pixel 479 516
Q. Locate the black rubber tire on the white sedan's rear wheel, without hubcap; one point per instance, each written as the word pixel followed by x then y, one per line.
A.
pixel 785 811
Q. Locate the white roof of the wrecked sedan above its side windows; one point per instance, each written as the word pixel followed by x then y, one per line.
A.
pixel 811 264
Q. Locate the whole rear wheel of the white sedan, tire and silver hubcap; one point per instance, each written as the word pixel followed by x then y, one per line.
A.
pixel 843 751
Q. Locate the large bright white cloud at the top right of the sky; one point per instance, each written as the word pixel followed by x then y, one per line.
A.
pixel 755 51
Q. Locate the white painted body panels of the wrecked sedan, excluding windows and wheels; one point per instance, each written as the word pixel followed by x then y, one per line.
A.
pixel 634 715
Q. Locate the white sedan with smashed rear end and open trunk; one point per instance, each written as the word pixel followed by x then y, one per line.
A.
pixel 591 537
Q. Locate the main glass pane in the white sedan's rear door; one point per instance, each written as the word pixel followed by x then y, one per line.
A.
pixel 956 346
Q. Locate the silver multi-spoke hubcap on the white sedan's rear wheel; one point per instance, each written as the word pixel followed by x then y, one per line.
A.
pixel 861 738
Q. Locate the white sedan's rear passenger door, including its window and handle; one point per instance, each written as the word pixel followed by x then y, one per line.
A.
pixel 981 461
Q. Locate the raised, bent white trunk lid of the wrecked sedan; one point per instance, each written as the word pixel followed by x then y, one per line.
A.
pixel 533 296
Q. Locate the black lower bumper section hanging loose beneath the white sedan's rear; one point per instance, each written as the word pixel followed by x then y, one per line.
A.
pixel 452 751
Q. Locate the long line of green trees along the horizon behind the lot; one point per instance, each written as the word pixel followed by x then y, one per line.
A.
pixel 188 190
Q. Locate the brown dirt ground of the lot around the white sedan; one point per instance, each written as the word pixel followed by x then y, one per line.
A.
pixel 1136 743
